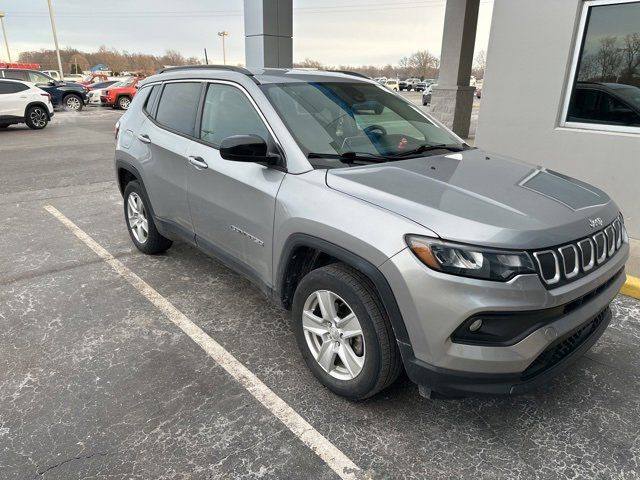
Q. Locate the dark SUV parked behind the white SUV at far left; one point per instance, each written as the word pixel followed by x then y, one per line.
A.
pixel 70 96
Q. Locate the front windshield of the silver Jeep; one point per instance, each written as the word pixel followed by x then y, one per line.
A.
pixel 336 118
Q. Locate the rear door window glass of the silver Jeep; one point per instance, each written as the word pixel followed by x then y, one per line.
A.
pixel 178 106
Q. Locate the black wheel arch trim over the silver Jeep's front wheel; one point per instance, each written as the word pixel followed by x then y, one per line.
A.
pixel 367 268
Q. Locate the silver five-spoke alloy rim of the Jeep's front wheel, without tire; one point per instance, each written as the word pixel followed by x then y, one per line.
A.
pixel 333 335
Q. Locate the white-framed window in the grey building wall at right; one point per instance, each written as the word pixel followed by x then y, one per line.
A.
pixel 604 93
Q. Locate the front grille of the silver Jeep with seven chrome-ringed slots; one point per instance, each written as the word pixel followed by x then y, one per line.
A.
pixel 560 265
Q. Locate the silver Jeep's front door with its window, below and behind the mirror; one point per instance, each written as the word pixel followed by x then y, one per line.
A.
pixel 232 203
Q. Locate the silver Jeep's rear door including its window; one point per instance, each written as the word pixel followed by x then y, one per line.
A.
pixel 167 134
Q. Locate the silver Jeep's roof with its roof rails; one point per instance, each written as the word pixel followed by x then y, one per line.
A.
pixel 258 75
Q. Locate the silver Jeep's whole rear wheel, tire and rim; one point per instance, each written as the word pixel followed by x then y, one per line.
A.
pixel 153 243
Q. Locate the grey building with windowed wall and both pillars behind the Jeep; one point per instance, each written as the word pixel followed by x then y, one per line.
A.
pixel 561 88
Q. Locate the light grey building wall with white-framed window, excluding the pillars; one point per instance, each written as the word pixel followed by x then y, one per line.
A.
pixel 561 91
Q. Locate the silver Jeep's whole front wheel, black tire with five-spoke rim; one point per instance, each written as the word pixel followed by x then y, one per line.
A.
pixel 375 348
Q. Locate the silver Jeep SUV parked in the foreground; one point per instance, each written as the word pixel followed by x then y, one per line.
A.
pixel 393 243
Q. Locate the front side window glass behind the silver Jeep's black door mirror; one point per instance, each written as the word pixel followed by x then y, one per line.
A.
pixel 227 111
